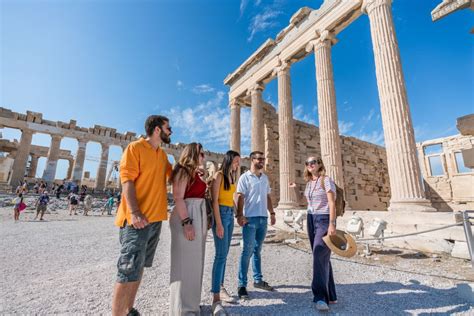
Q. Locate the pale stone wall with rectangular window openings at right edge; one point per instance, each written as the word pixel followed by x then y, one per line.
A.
pixel 448 185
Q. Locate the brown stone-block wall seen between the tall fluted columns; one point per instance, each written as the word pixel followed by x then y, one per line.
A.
pixel 364 164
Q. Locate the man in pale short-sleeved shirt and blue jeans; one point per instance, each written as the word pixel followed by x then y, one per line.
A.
pixel 254 202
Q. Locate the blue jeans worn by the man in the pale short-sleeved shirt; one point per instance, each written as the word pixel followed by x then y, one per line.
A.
pixel 253 234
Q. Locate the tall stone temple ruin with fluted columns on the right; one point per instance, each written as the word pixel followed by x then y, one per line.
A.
pixel 412 181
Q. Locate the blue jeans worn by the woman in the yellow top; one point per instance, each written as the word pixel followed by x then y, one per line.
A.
pixel 222 247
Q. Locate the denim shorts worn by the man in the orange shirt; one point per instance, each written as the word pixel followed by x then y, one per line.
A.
pixel 137 251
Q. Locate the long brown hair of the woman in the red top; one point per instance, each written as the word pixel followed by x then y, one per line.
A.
pixel 188 163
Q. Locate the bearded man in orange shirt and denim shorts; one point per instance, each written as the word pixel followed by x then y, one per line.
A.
pixel 144 169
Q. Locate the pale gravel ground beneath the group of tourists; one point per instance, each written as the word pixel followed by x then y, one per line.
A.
pixel 66 265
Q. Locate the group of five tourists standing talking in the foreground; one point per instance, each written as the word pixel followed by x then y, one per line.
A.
pixel 199 206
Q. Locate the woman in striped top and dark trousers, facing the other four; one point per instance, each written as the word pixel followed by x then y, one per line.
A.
pixel 320 194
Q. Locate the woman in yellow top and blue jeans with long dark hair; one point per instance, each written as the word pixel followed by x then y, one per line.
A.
pixel 223 189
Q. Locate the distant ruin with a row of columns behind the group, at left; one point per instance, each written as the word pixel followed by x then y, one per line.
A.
pixel 21 158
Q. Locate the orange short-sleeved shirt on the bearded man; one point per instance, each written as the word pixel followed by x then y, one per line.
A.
pixel 148 169
